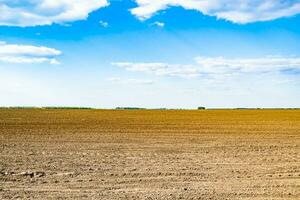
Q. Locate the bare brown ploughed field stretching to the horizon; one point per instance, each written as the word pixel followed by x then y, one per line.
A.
pixel 149 154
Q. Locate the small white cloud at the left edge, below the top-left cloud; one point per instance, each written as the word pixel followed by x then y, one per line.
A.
pixel 26 54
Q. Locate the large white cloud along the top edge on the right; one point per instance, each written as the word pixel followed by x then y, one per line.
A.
pixel 237 11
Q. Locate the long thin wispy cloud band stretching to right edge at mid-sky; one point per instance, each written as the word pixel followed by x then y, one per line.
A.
pixel 216 67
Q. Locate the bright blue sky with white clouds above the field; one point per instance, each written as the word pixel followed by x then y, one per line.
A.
pixel 150 53
